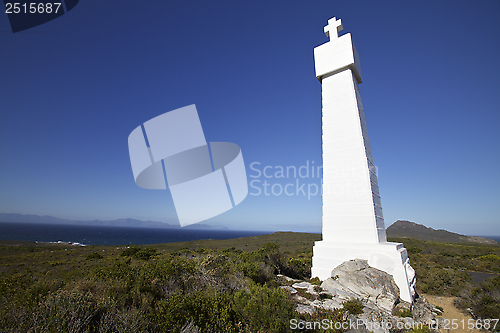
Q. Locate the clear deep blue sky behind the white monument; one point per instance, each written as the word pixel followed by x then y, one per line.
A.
pixel 73 89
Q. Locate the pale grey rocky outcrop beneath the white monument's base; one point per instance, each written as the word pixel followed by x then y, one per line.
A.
pixel 377 291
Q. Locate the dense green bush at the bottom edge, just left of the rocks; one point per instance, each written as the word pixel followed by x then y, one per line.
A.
pixel 258 309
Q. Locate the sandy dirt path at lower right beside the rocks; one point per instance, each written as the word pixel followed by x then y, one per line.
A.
pixel 451 312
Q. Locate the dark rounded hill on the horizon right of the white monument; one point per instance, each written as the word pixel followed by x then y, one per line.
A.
pixel 407 229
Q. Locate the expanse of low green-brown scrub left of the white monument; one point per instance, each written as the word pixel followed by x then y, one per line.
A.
pixel 60 288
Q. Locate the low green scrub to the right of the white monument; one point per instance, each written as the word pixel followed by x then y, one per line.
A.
pixel 444 269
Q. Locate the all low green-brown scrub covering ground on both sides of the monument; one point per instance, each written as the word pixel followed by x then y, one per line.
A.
pixel 209 286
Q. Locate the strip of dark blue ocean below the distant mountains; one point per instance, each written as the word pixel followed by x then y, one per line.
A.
pixel 107 235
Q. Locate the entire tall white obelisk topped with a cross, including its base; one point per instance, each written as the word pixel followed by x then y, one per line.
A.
pixel 353 224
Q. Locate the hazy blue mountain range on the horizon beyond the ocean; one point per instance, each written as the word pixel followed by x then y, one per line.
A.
pixel 20 218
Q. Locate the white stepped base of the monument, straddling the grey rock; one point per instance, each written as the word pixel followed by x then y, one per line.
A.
pixel 388 257
